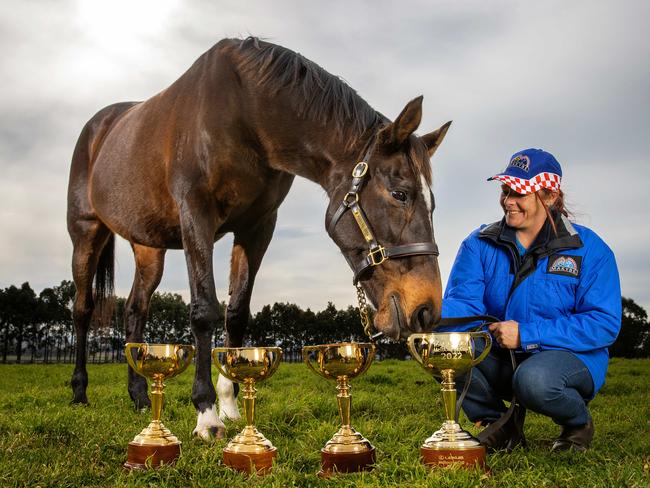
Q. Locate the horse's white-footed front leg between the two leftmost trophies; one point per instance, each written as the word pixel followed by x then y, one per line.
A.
pixel 198 228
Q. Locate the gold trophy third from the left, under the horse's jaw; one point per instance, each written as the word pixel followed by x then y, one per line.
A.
pixel 347 451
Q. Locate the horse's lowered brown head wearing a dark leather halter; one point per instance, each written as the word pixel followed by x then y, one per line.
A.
pixel 384 228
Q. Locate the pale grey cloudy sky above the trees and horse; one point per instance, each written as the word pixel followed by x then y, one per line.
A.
pixel 570 77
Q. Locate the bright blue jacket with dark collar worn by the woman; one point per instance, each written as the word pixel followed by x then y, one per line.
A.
pixel 564 292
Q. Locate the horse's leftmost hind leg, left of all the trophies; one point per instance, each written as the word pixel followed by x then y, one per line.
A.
pixel 89 238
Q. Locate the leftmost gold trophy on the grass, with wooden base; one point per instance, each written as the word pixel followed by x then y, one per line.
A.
pixel 156 445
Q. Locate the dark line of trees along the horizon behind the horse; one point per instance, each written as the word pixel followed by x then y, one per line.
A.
pixel 39 327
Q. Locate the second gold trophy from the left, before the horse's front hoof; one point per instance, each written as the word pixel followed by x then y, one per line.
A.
pixel 249 451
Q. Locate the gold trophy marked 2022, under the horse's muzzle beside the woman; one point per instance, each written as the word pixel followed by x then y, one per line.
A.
pixel 445 355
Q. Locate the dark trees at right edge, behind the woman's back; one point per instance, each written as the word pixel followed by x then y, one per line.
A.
pixel 633 341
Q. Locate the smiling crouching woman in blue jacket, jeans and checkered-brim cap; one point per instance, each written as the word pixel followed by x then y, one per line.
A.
pixel 555 286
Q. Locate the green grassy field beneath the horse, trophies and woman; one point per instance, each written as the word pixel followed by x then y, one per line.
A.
pixel 46 442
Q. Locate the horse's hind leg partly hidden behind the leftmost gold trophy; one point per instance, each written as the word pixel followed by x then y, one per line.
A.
pixel 149 264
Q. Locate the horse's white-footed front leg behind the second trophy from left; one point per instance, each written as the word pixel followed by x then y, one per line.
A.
pixel 248 250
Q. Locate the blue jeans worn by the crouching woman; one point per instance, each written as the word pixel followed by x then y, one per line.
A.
pixel 554 383
